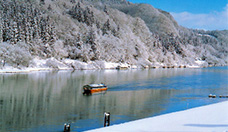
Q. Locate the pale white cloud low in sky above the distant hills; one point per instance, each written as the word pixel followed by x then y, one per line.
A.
pixel 211 21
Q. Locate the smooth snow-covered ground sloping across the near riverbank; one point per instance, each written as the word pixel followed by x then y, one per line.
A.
pixel 204 119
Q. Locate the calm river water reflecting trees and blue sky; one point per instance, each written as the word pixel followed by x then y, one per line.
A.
pixel 44 101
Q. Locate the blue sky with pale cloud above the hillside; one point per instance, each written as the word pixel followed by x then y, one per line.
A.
pixel 197 14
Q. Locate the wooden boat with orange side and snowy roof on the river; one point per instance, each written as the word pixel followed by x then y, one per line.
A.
pixel 92 88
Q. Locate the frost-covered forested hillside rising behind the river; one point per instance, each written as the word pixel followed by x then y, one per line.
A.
pixel 79 33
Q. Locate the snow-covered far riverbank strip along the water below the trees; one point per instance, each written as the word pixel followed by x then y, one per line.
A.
pixel 68 64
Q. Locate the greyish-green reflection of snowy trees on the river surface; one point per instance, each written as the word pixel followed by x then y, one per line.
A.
pixel 30 100
